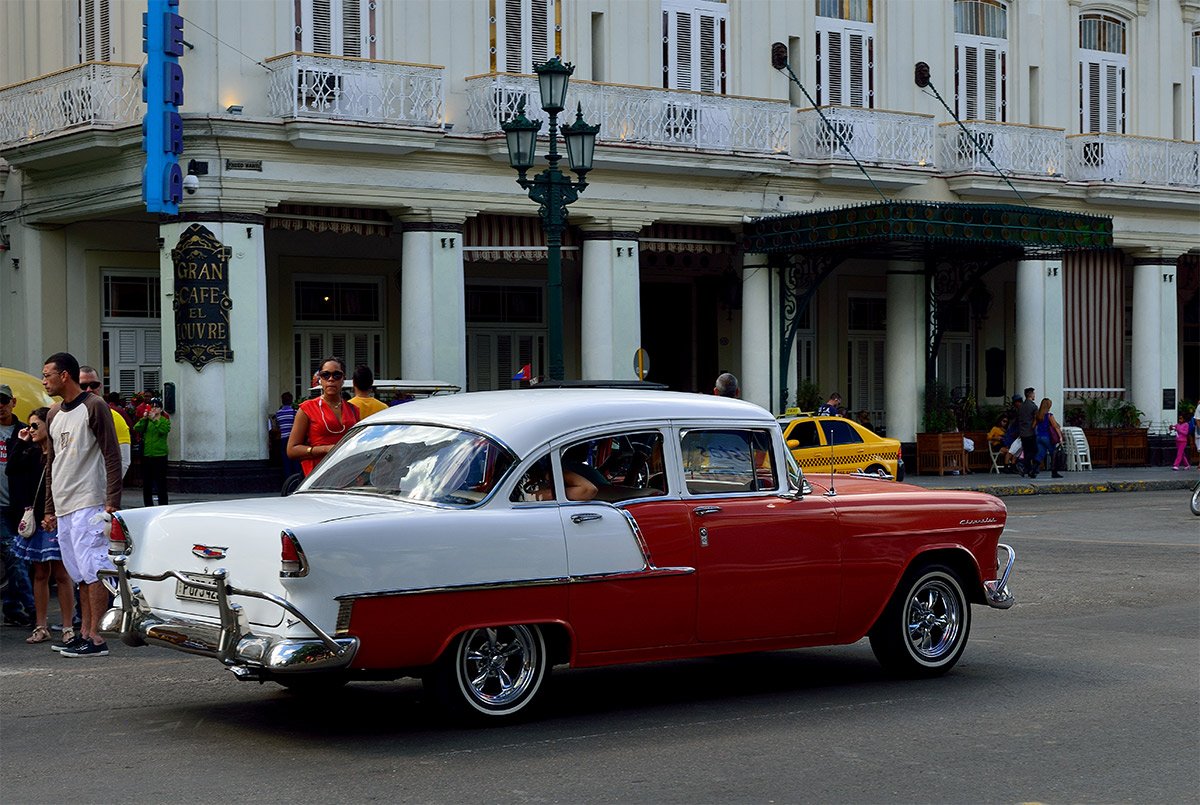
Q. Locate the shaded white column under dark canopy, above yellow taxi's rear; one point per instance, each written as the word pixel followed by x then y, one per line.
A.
pixel 904 374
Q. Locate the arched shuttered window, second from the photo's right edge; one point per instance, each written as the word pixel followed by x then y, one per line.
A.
pixel 1103 68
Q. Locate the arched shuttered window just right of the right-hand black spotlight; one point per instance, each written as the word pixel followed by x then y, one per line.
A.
pixel 981 61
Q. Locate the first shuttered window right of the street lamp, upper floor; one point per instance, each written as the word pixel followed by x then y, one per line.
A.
pixel 694 41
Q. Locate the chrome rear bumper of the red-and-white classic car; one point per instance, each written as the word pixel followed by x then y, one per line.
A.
pixel 249 656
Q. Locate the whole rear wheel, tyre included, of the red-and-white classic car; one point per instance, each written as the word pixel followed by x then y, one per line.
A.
pixel 493 674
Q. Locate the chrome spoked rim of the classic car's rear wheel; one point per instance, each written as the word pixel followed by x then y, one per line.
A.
pixel 500 666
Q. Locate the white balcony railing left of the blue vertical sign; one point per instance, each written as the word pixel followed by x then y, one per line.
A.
pixel 94 94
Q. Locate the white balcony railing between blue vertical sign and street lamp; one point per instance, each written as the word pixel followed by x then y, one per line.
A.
pixel 343 88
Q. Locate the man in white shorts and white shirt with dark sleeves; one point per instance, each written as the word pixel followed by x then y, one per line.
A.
pixel 83 480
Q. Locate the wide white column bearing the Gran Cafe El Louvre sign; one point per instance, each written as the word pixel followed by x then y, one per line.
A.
pixel 220 408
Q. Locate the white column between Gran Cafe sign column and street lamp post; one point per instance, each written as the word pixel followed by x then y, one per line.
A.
pixel 433 308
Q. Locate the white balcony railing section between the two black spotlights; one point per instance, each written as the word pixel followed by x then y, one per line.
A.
pixel 873 136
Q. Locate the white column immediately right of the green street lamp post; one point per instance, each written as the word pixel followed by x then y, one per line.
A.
pixel 611 315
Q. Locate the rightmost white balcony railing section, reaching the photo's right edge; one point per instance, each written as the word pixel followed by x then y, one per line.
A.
pixel 1133 160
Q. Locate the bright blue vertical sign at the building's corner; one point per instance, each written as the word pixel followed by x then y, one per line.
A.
pixel 163 89
